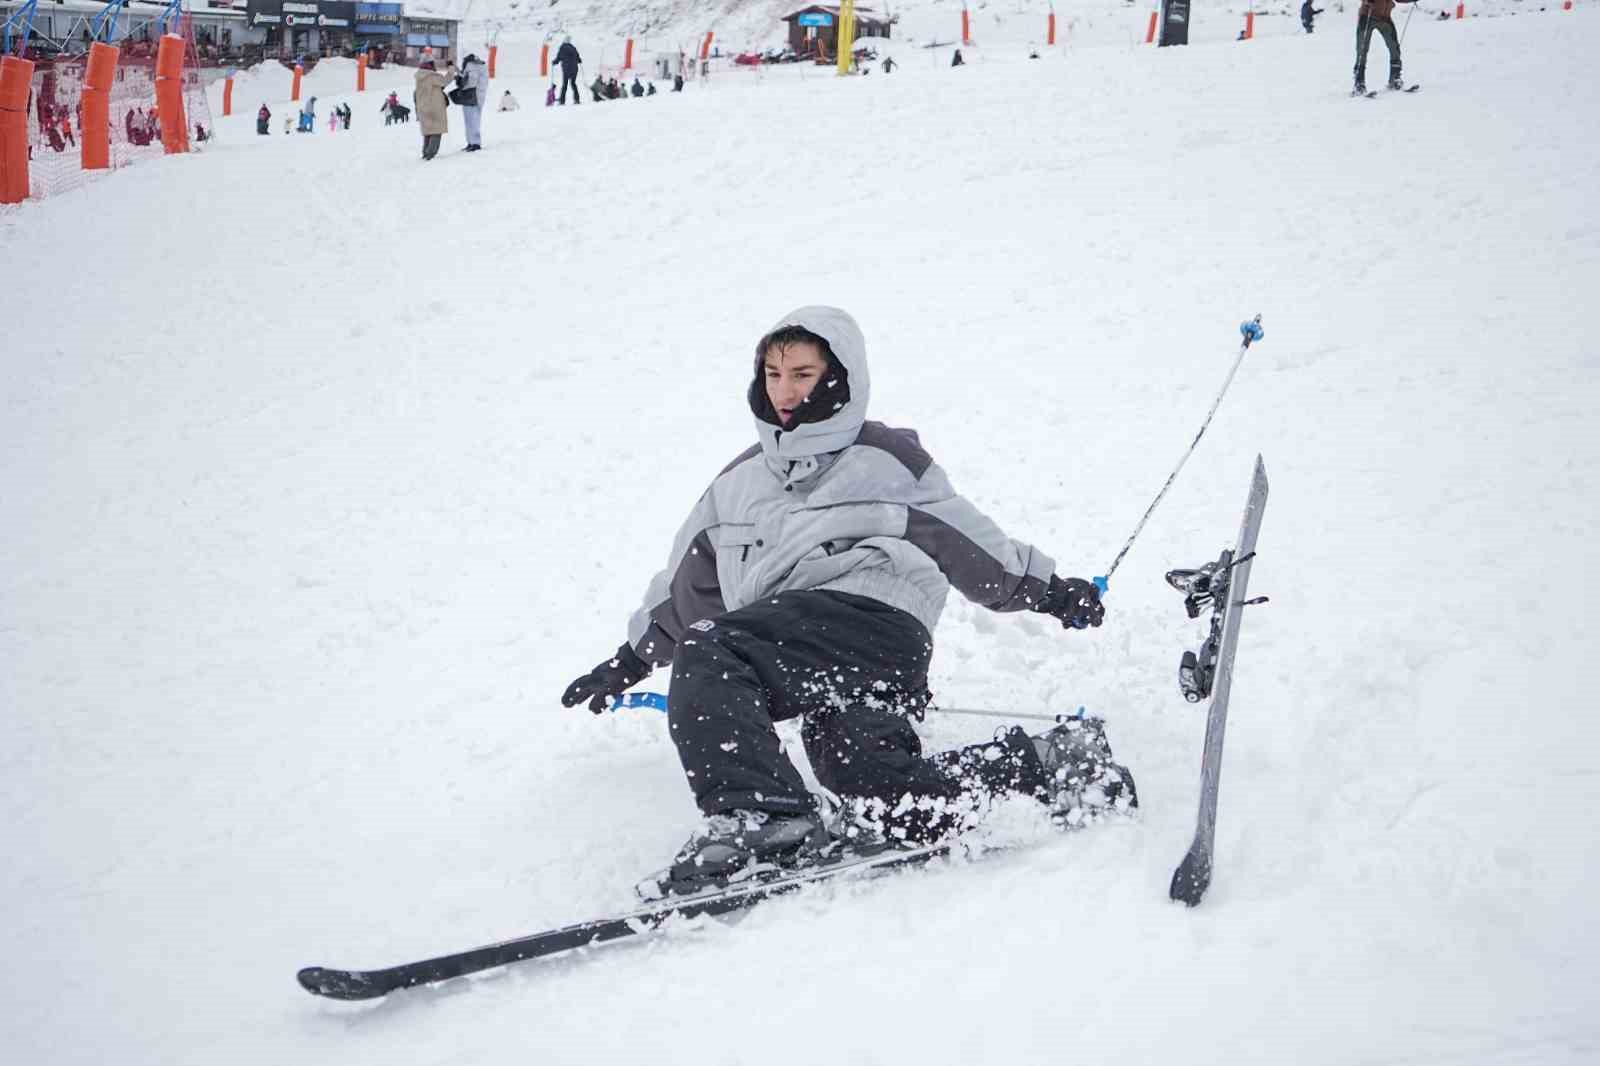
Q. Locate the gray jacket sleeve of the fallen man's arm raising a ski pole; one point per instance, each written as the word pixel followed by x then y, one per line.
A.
pixel 985 566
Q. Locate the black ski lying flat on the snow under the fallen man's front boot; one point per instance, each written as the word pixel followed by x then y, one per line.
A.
pixel 375 984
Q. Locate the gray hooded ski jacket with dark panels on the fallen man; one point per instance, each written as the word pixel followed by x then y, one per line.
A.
pixel 842 505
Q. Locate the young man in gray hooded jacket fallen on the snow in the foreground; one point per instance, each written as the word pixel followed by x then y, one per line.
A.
pixel 807 583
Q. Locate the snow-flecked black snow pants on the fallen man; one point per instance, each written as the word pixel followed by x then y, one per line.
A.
pixel 855 670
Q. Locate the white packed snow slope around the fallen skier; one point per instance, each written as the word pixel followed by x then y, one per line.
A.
pixel 324 471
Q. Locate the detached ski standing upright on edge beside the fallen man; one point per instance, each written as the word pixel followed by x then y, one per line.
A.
pixel 1210 673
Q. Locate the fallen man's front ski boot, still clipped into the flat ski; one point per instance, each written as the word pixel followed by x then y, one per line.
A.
pixel 740 846
